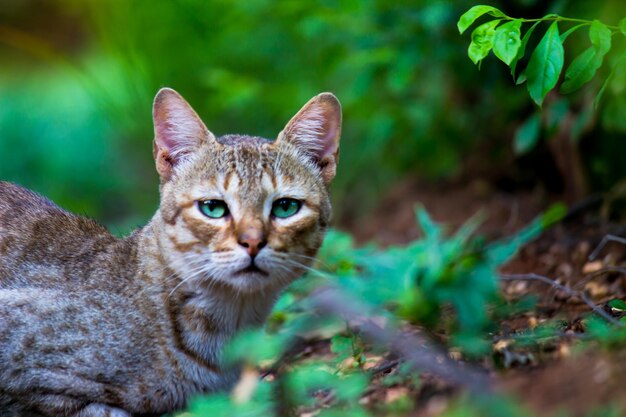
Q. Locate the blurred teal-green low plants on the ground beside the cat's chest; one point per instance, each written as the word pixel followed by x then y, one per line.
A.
pixel 414 283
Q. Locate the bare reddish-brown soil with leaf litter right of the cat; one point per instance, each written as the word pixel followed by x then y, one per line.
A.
pixel 564 373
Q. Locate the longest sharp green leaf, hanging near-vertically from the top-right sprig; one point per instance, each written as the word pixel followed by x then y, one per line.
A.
pixel 545 65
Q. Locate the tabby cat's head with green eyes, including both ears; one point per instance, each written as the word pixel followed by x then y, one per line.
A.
pixel 244 211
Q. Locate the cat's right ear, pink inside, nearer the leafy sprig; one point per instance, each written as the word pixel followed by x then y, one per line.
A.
pixel 315 130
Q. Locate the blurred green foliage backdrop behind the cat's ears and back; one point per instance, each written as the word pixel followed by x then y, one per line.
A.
pixel 77 79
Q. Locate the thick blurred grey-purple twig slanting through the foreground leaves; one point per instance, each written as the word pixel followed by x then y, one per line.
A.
pixel 413 349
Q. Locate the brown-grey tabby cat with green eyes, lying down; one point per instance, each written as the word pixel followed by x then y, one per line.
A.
pixel 93 325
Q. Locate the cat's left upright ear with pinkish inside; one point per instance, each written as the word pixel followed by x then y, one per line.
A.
pixel 178 131
